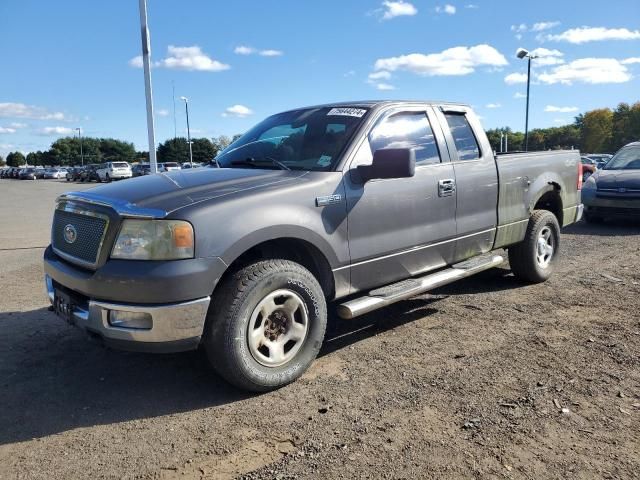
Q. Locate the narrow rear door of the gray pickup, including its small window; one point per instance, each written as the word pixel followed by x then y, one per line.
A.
pixel 476 180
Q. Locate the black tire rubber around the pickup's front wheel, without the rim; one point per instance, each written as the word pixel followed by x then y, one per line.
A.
pixel 226 339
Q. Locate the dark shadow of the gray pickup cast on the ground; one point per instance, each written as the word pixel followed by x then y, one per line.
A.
pixel 53 379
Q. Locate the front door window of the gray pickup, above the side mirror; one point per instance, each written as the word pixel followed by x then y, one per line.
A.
pixel 407 130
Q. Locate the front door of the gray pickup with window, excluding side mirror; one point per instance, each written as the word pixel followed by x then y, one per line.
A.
pixel 401 227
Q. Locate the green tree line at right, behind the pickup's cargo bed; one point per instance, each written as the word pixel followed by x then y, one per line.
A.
pixel 597 131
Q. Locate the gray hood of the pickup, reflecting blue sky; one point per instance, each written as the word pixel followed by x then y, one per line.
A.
pixel 162 193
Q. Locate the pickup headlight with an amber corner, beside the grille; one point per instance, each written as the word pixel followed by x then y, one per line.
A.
pixel 154 240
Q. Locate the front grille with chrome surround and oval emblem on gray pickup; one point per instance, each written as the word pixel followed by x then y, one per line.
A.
pixel 89 230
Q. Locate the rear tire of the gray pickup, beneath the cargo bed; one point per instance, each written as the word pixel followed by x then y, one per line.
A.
pixel 523 257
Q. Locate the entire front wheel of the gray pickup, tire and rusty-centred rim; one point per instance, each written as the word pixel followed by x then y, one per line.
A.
pixel 265 325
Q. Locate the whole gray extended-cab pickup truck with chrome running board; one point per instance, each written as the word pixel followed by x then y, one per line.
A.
pixel 359 204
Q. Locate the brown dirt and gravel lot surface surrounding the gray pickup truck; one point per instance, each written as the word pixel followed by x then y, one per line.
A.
pixel 487 378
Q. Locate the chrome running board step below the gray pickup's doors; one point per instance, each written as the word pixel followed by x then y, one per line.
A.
pixel 405 289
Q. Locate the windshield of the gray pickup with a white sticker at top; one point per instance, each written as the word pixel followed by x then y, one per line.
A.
pixel 308 139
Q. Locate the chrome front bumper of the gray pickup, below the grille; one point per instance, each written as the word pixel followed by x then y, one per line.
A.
pixel 175 327
